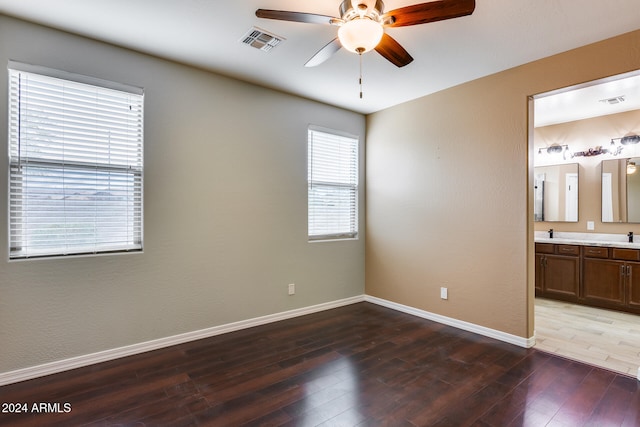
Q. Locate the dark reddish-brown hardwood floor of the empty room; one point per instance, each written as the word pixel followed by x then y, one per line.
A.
pixel 360 365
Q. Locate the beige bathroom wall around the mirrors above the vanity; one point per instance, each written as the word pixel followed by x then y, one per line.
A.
pixel 581 135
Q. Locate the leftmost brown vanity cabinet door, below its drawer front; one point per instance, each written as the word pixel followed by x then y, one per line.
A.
pixel 561 276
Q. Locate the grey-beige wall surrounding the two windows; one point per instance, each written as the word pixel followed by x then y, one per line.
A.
pixel 225 213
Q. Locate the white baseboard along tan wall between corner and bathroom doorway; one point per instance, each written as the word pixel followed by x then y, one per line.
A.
pixel 471 327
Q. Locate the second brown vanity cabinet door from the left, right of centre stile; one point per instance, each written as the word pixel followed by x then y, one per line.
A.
pixel 603 281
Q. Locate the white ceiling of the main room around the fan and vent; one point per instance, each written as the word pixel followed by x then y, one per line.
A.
pixel 500 34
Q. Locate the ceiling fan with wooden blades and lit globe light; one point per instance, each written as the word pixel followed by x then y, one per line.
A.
pixel 362 23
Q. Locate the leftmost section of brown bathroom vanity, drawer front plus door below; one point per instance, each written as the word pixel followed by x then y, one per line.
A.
pixel 558 271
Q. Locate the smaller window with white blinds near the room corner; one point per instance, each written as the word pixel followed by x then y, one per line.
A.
pixel 332 185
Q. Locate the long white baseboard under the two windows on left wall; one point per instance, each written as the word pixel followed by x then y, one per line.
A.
pixel 130 350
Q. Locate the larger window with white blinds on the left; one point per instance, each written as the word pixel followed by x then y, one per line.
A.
pixel 75 164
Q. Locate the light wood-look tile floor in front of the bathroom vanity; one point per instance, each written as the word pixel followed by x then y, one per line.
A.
pixel 604 338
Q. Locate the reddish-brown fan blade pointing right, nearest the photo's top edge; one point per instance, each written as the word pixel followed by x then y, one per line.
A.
pixel 429 12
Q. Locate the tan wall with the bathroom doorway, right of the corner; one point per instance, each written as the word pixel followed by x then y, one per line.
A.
pixel 449 199
